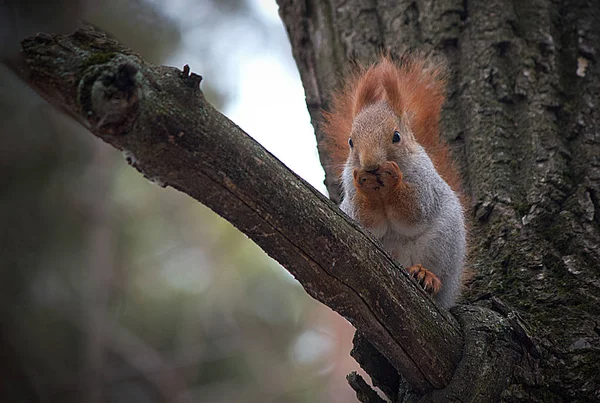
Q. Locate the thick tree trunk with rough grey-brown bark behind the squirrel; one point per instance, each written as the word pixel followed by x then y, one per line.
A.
pixel 522 118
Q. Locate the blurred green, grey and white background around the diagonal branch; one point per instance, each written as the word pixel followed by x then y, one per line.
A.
pixel 113 289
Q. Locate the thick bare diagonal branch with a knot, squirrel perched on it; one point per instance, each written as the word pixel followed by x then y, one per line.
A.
pixel 160 119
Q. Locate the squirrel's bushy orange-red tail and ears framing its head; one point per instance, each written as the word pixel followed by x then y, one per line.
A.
pixel 414 88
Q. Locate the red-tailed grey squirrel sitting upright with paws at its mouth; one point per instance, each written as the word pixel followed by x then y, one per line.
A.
pixel 398 179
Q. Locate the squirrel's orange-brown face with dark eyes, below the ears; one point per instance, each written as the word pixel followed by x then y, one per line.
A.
pixel 378 134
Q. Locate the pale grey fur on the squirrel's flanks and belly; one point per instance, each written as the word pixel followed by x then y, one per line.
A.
pixel 439 241
